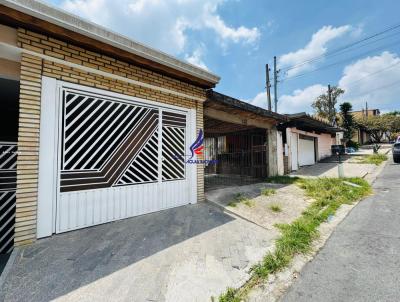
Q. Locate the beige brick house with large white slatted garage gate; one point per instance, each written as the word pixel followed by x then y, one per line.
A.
pixel 98 120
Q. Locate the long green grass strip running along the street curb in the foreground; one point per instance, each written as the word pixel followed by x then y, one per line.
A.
pixel 296 238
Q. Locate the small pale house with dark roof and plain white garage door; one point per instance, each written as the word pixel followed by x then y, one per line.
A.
pixel 307 140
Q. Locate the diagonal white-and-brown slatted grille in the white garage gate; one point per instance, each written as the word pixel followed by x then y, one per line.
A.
pixel 109 142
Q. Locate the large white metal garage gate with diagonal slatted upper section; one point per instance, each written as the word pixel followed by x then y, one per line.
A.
pixel 118 157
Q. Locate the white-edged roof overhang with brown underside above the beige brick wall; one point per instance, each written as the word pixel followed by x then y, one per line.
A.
pixel 38 16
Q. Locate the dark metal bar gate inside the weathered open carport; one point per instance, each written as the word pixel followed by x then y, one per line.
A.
pixel 236 159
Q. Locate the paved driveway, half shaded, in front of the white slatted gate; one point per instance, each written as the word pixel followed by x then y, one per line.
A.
pixel 183 254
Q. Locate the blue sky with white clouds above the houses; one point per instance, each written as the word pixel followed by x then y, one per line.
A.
pixel 234 39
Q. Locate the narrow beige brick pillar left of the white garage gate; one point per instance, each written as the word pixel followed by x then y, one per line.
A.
pixel 28 148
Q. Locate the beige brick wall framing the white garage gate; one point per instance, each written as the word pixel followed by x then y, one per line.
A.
pixel 32 68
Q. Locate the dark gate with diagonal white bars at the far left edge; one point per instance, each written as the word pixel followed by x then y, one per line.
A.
pixel 8 184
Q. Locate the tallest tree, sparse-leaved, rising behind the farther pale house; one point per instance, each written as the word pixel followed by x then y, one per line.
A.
pixel 326 108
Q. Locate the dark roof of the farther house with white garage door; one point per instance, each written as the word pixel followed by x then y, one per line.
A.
pixel 307 122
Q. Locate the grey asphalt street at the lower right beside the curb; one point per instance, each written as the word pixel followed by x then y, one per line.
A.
pixel 361 260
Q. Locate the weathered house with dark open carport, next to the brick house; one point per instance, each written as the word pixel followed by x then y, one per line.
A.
pixel 241 141
